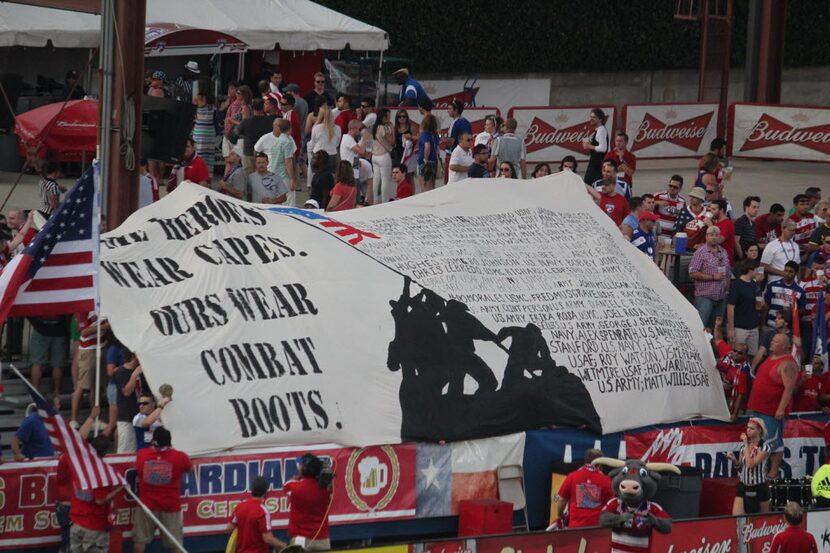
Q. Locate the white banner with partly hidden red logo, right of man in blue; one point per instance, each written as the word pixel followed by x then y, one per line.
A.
pixel 499 93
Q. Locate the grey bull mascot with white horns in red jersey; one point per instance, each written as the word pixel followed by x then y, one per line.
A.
pixel 630 515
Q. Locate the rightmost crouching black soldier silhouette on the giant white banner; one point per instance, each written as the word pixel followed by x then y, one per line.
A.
pixel 528 352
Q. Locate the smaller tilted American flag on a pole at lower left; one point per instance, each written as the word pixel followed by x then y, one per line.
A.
pixel 88 470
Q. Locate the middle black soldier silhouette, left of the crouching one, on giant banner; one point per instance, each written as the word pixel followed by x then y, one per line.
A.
pixel 462 331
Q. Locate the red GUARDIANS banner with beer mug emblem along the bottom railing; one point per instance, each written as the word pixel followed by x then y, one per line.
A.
pixel 371 484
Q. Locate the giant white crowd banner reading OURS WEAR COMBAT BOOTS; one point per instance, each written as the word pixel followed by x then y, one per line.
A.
pixel 479 309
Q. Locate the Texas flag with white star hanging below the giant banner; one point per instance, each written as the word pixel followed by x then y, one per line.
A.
pixel 449 473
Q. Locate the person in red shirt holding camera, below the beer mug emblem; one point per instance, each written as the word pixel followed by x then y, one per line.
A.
pixel 310 496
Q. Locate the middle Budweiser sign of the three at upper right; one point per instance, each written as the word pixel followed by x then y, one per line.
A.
pixel 658 131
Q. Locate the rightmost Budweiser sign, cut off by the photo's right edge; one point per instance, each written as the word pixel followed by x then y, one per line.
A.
pixel 800 133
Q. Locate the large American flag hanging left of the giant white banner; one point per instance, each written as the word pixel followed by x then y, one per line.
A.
pixel 57 272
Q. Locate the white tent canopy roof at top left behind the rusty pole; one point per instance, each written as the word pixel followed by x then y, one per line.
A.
pixel 261 24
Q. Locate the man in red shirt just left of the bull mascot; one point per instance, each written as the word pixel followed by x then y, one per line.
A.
pixel 584 493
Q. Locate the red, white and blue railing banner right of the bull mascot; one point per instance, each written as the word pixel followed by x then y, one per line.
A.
pixel 706 446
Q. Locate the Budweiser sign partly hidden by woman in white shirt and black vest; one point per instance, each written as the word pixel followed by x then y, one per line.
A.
pixel 552 133
